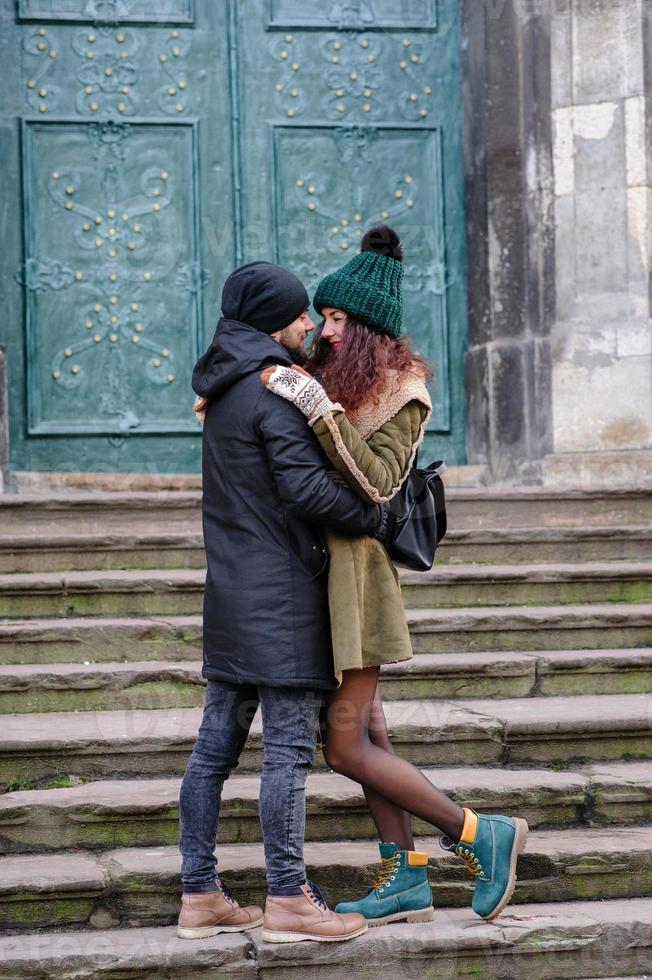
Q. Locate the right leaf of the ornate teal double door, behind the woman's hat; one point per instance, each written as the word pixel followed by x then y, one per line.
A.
pixel 351 115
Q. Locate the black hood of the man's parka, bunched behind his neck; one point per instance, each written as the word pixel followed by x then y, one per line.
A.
pixel 237 351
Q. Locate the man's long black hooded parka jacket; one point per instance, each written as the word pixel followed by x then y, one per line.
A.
pixel 266 494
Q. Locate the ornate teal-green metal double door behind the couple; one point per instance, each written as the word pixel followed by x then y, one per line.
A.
pixel 151 145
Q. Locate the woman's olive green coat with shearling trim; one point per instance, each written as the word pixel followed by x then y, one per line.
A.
pixel 368 623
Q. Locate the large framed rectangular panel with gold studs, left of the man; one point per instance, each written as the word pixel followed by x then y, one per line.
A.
pixel 120 306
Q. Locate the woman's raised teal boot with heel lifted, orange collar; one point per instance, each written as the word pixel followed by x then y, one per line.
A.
pixel 489 847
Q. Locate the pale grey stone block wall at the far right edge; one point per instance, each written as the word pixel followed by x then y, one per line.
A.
pixel 601 91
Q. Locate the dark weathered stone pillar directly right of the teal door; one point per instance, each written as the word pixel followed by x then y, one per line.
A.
pixel 508 180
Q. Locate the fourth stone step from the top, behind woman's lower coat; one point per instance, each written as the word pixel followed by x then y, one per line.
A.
pixel 176 638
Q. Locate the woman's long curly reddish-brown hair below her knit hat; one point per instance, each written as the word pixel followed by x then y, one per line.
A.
pixel 357 370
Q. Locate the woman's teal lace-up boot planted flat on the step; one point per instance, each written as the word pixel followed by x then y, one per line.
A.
pixel 401 890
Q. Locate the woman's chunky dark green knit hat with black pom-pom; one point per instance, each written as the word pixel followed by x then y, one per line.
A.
pixel 369 287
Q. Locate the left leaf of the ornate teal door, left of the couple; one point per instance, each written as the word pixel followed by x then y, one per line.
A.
pixel 121 164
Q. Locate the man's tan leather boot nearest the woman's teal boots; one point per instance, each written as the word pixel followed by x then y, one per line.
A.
pixel 293 918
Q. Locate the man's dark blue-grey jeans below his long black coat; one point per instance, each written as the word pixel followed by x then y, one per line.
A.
pixel 290 723
